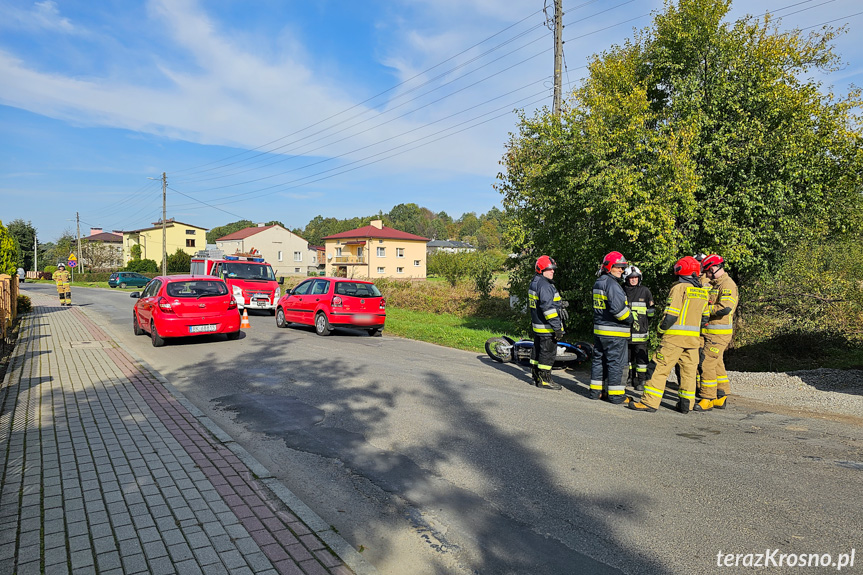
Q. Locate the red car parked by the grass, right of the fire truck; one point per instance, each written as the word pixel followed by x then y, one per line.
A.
pixel 327 303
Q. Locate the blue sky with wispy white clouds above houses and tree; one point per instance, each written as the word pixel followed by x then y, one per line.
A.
pixel 289 109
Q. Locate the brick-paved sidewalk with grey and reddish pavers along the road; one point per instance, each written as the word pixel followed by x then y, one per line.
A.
pixel 107 469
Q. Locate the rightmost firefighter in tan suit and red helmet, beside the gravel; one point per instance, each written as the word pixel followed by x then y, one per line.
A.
pixel 718 332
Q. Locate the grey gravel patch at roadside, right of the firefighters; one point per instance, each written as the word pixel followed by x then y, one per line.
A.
pixel 819 390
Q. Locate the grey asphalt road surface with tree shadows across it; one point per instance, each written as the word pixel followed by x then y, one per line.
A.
pixel 436 461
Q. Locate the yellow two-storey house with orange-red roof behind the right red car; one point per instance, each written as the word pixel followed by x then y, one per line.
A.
pixel 376 251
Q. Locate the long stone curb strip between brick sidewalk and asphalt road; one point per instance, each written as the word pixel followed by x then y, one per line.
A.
pixel 350 556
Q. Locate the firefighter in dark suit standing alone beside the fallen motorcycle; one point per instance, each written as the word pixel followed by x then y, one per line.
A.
pixel 545 322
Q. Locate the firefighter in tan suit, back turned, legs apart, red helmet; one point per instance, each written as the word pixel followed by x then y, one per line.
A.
pixel 685 313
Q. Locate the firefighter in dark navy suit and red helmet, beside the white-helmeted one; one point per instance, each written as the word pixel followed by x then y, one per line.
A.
pixel 612 325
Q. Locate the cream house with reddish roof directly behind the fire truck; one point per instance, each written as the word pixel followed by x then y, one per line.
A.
pixel 285 251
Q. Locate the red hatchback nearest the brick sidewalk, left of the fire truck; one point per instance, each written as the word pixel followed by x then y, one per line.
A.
pixel 185 305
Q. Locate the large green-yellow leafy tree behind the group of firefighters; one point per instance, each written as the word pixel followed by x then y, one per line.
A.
pixel 696 135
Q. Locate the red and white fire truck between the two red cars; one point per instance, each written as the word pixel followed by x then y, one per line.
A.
pixel 250 279
